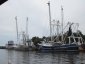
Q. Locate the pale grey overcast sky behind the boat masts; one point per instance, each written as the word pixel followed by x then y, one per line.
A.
pixel 37 12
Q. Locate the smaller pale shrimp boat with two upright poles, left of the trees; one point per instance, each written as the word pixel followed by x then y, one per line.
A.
pixel 22 38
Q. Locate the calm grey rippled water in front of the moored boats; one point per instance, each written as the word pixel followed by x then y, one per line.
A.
pixel 18 57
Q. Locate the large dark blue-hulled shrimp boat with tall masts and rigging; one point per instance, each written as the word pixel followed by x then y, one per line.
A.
pixel 60 45
